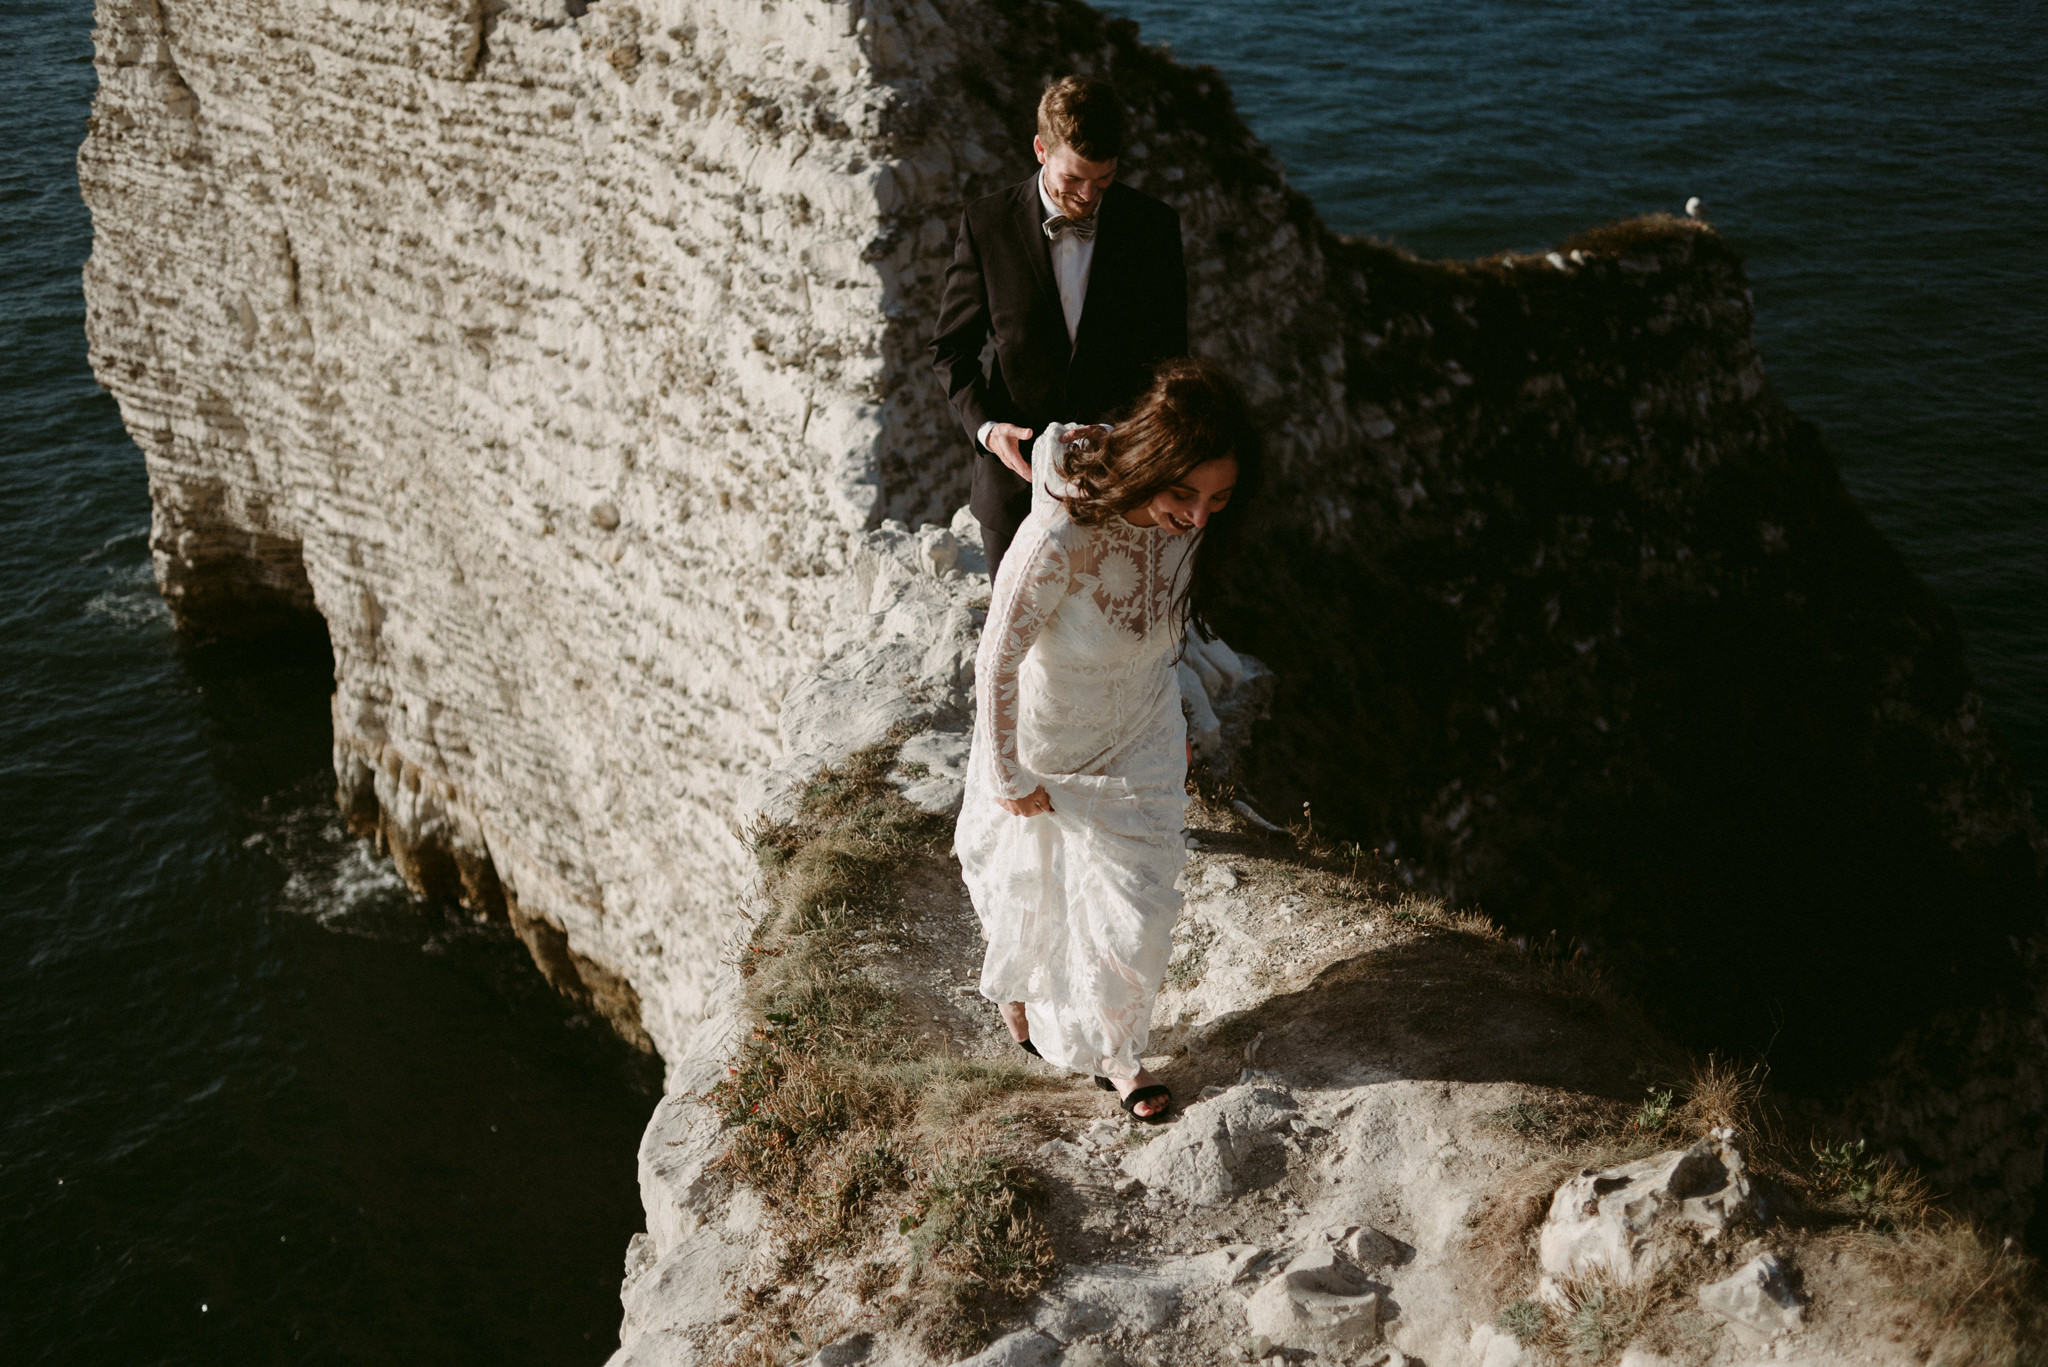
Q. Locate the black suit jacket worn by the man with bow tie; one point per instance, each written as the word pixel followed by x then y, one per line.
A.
pixel 1002 284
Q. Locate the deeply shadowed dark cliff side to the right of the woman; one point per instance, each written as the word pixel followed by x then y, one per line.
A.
pixel 1609 651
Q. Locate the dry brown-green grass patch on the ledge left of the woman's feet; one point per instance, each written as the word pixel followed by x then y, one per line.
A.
pixel 853 1134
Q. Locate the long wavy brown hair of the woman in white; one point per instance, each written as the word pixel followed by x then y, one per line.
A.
pixel 1191 415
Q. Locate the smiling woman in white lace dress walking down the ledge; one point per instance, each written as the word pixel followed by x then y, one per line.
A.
pixel 1070 833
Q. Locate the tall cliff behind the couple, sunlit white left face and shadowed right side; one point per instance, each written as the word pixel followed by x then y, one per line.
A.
pixel 562 362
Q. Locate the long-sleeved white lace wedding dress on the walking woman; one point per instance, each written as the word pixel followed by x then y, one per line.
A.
pixel 1076 692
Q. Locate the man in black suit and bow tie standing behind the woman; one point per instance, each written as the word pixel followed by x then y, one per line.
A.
pixel 1084 288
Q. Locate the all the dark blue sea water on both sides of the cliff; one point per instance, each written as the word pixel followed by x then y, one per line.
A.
pixel 257 1106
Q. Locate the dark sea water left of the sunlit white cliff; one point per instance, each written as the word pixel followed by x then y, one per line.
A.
pixel 255 1104
